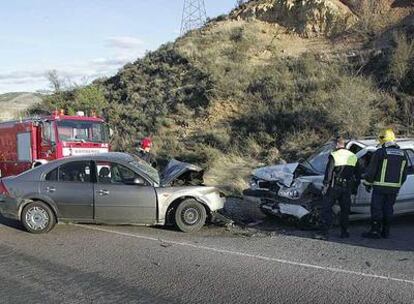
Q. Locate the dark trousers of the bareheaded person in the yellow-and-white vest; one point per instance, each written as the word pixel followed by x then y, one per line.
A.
pixel 339 194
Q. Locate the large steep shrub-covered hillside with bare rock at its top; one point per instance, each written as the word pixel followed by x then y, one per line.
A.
pixel 268 83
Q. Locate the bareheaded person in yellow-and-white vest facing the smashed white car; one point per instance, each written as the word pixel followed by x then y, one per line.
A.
pixel 342 178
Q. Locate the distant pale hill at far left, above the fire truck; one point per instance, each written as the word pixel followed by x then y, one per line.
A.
pixel 13 105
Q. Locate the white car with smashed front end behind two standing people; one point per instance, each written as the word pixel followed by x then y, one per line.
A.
pixel 294 190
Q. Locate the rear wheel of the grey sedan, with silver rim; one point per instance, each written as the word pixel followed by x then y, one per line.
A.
pixel 37 218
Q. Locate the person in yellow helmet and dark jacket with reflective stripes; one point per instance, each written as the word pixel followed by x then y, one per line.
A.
pixel 386 174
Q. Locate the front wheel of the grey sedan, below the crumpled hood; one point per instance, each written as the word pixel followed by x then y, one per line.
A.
pixel 190 216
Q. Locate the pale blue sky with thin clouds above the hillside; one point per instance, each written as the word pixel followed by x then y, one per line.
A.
pixel 83 39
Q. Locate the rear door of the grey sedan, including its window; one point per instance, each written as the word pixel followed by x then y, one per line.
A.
pixel 70 187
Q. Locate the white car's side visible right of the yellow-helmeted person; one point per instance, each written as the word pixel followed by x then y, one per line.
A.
pixel 405 200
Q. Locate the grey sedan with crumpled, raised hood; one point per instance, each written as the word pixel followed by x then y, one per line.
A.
pixel 113 188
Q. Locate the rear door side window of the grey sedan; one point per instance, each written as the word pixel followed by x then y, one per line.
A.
pixel 75 172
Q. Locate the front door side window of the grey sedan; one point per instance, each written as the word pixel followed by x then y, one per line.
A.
pixel 114 173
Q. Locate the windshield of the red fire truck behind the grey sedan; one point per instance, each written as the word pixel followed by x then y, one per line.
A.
pixel 82 131
